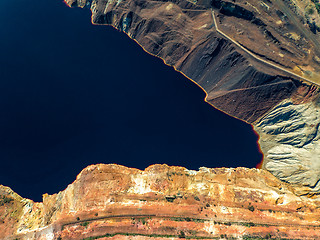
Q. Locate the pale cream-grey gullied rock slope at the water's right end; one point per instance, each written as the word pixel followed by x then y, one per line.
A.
pixel 290 139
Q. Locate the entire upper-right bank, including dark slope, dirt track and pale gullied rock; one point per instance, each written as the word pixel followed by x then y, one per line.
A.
pixel 258 61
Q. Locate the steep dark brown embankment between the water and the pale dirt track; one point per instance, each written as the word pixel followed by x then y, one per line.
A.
pixel 184 36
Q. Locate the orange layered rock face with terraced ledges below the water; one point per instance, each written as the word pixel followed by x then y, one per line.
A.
pixel 161 202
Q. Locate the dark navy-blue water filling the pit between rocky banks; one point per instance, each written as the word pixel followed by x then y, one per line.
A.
pixel 73 94
